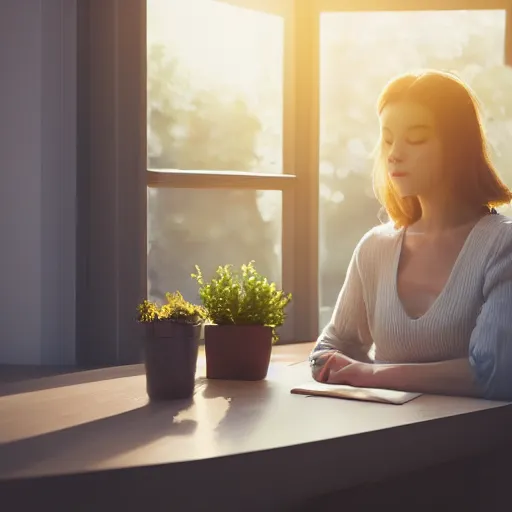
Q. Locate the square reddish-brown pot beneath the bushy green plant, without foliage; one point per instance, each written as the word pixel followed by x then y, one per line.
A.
pixel 237 352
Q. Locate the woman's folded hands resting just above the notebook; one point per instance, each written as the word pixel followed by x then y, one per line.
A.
pixel 335 368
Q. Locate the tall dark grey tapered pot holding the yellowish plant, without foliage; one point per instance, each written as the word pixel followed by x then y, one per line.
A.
pixel 170 351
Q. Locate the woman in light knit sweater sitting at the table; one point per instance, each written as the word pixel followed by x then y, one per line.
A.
pixel 431 291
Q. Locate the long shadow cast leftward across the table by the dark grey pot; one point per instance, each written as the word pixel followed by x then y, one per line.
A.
pixel 90 443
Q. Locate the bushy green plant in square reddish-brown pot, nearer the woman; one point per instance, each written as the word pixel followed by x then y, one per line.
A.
pixel 244 309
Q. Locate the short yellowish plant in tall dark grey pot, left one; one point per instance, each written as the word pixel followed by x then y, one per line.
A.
pixel 171 346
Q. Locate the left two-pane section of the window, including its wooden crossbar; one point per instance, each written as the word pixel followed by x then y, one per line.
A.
pixel 222 174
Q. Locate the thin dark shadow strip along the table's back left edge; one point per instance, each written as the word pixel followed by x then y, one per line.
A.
pixel 14 381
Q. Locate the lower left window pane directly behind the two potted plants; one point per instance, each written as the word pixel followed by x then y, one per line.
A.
pixel 197 226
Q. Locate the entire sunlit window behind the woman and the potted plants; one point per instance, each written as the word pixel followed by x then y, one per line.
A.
pixel 216 89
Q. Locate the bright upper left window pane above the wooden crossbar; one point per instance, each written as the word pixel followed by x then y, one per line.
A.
pixel 215 87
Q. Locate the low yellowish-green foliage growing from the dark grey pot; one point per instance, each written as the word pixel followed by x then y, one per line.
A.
pixel 176 309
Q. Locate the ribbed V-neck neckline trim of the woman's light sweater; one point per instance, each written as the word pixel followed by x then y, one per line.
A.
pixel 449 282
